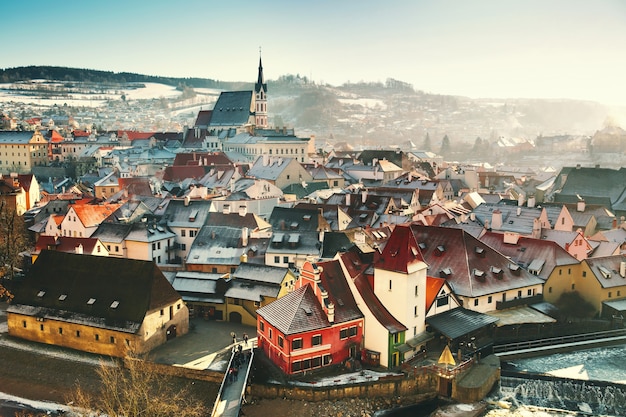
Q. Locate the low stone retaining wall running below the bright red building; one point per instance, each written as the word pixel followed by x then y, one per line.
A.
pixel 387 387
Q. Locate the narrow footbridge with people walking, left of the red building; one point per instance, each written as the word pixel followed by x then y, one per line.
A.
pixel 232 391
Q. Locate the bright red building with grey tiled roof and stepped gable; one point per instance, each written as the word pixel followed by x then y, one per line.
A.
pixel 316 325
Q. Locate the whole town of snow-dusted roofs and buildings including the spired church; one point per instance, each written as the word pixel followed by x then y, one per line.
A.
pixel 369 256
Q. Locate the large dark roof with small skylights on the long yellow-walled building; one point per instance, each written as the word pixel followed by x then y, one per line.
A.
pixel 62 285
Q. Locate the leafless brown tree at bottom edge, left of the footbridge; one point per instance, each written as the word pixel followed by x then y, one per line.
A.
pixel 135 389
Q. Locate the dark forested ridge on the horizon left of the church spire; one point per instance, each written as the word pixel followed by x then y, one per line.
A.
pixel 10 75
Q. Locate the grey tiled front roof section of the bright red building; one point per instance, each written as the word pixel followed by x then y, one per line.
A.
pixel 296 312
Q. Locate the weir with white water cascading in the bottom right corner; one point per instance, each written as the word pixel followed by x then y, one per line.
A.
pixel 581 396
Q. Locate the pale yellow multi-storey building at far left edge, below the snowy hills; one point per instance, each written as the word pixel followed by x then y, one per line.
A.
pixel 21 151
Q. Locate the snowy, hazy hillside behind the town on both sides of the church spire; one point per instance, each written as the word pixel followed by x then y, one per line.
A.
pixel 390 113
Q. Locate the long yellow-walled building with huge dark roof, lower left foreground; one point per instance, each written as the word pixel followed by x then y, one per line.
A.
pixel 96 304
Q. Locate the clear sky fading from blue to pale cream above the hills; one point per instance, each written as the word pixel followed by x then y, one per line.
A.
pixel 573 49
